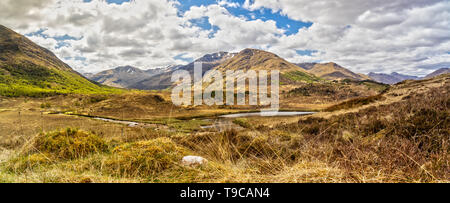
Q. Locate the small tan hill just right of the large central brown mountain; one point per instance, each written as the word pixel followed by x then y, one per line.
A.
pixel 332 71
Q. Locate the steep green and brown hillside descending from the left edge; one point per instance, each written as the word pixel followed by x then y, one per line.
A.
pixel 26 69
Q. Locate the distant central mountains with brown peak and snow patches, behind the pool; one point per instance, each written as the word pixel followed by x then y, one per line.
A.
pixel 253 59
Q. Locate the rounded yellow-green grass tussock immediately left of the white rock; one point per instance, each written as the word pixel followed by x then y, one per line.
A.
pixel 144 158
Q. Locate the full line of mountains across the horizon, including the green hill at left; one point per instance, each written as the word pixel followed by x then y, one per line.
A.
pixel 28 69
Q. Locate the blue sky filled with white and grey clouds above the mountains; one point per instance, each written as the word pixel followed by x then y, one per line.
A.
pixel 405 36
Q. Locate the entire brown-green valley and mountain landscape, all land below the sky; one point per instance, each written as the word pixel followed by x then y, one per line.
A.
pixel 334 125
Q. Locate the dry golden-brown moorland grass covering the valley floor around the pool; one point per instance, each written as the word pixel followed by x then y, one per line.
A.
pixel 402 138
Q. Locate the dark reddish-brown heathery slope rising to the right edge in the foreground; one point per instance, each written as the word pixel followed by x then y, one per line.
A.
pixel 406 141
